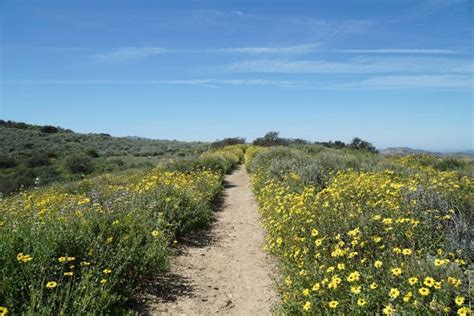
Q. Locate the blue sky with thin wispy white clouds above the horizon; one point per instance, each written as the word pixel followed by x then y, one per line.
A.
pixel 398 73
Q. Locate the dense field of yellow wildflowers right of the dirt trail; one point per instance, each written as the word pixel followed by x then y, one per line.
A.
pixel 356 233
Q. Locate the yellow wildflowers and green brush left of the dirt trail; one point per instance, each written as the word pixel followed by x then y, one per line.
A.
pixel 86 247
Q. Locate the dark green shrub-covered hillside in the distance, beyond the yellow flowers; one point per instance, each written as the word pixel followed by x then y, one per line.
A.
pixel 31 154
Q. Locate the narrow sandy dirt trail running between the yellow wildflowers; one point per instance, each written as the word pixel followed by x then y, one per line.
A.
pixel 223 271
